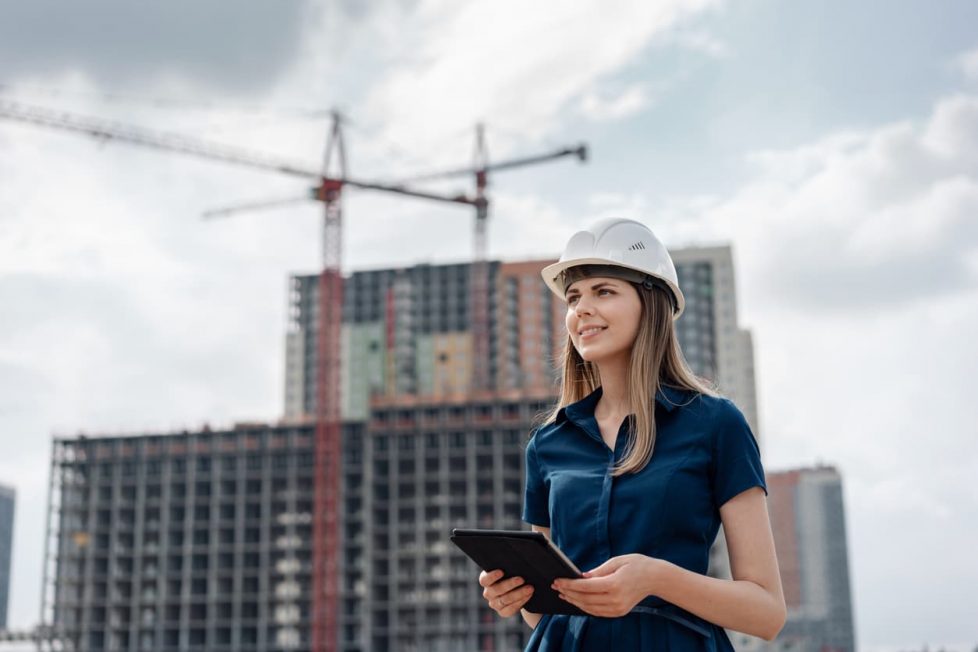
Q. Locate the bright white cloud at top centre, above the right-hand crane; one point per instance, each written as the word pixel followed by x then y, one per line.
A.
pixel 522 74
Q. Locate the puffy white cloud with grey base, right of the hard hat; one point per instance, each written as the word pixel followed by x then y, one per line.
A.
pixel 858 221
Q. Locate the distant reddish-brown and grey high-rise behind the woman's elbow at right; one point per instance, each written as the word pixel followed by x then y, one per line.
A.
pixel 808 520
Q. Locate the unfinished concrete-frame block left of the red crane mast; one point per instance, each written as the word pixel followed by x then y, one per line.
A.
pixel 188 541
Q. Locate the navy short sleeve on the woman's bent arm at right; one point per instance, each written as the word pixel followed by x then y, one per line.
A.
pixel 736 456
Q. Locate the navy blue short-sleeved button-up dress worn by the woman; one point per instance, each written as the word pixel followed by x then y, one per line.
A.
pixel 704 455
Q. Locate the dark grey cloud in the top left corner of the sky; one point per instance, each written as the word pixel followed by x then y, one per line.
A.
pixel 118 44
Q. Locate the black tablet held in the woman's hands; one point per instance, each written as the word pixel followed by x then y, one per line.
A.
pixel 518 553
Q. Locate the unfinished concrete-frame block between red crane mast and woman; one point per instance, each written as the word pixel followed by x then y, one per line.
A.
pixel 428 467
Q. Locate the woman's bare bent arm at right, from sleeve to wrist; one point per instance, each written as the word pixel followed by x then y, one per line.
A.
pixel 753 602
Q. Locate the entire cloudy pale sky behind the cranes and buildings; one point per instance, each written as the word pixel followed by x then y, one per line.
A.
pixel 833 144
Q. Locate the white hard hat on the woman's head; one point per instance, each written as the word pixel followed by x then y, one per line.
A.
pixel 618 243
